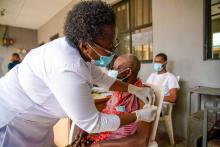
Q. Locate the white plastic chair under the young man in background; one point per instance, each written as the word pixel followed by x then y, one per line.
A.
pixel 167 118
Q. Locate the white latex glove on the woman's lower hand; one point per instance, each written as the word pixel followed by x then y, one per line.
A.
pixel 146 114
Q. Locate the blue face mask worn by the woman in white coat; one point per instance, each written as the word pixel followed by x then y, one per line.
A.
pixel 103 61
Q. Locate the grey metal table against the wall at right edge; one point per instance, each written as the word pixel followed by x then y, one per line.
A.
pixel 201 90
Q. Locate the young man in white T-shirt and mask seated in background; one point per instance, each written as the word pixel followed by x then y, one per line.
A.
pixel 164 78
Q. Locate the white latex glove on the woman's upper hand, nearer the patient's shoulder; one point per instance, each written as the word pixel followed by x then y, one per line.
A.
pixel 146 94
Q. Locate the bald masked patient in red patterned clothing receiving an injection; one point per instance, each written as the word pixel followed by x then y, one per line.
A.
pixel 126 68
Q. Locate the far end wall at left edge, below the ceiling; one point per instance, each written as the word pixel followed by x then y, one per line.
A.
pixel 24 38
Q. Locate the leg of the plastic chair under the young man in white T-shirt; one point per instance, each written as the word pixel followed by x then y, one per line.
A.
pixel 169 128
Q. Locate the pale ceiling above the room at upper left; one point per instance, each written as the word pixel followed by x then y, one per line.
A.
pixel 32 14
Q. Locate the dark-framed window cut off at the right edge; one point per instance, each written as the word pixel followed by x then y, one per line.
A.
pixel 212 29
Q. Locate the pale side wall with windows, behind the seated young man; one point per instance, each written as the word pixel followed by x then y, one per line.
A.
pixel 178 32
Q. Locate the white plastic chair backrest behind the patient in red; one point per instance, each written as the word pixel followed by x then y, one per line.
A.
pixel 159 92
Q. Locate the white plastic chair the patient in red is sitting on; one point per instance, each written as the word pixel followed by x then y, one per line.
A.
pixel 152 143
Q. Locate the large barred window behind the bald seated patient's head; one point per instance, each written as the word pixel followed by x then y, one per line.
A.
pixel 134 28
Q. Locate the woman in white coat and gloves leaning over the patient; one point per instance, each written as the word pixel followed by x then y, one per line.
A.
pixel 54 81
